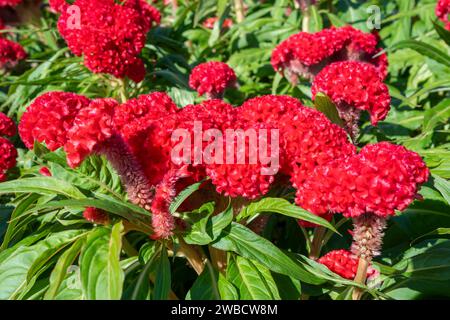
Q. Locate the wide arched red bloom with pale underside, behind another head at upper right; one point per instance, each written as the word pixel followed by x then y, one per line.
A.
pixel 305 54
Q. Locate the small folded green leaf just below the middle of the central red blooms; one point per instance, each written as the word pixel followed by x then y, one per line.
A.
pixel 208 229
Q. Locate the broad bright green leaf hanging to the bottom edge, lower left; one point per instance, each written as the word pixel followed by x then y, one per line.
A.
pixel 101 274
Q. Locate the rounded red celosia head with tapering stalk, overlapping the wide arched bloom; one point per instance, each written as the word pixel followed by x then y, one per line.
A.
pixel 354 86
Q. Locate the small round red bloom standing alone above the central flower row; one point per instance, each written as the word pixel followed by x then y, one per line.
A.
pixel 212 78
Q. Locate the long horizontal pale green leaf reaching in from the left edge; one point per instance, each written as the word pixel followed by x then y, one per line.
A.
pixel 41 185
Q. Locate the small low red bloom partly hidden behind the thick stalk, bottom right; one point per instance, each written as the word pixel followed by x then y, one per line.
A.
pixel 345 264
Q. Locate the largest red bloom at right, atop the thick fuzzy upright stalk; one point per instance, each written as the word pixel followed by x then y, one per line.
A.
pixel 382 178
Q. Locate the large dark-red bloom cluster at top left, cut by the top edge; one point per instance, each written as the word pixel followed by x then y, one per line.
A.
pixel 109 35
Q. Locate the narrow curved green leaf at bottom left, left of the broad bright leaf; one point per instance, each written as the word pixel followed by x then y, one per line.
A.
pixel 60 270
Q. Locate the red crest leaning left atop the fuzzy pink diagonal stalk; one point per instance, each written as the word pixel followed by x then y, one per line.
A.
pixel 92 126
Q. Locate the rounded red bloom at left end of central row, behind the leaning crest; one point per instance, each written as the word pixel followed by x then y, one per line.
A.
pixel 49 118
